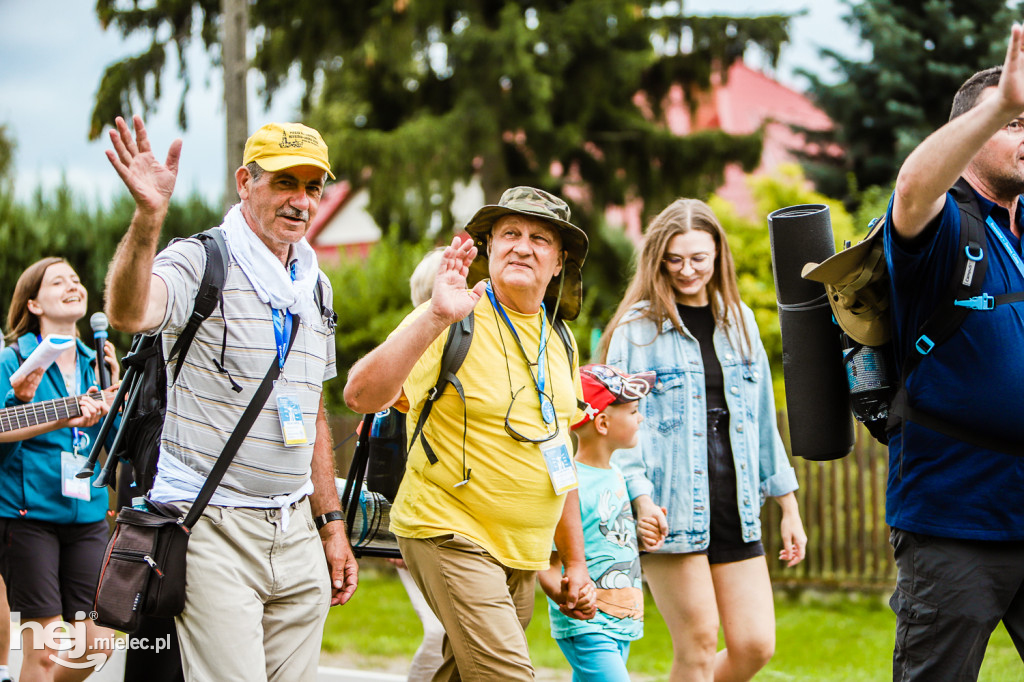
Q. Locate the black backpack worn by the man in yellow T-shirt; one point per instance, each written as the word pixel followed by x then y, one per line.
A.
pixel 379 462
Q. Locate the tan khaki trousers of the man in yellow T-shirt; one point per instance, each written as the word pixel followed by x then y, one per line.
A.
pixel 484 606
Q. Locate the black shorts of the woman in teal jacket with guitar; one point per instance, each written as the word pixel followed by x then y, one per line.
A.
pixel 52 569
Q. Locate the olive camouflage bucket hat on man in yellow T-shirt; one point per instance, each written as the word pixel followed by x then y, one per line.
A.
pixel 536 204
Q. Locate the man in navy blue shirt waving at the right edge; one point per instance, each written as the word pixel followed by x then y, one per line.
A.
pixel 957 509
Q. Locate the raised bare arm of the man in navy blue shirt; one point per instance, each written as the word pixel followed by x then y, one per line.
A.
pixel 945 156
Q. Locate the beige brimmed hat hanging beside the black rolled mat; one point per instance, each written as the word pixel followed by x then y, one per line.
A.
pixel 858 285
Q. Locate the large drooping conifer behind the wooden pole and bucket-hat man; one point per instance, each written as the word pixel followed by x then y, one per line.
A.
pixel 416 96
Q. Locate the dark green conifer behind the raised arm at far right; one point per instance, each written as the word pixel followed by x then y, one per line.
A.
pixel 886 105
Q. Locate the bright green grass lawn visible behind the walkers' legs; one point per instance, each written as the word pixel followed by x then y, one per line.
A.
pixel 841 637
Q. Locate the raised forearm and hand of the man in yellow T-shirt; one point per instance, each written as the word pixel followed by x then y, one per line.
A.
pixel 375 382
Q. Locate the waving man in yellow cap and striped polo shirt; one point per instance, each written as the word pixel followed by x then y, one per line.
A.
pixel 270 553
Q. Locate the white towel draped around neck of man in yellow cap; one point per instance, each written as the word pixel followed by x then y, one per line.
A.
pixel 272 281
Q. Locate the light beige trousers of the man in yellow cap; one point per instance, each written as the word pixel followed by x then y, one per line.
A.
pixel 257 596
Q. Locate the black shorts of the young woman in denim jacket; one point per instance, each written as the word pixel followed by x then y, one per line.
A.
pixel 727 543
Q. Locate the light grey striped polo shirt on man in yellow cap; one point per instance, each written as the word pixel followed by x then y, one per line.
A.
pixel 202 408
